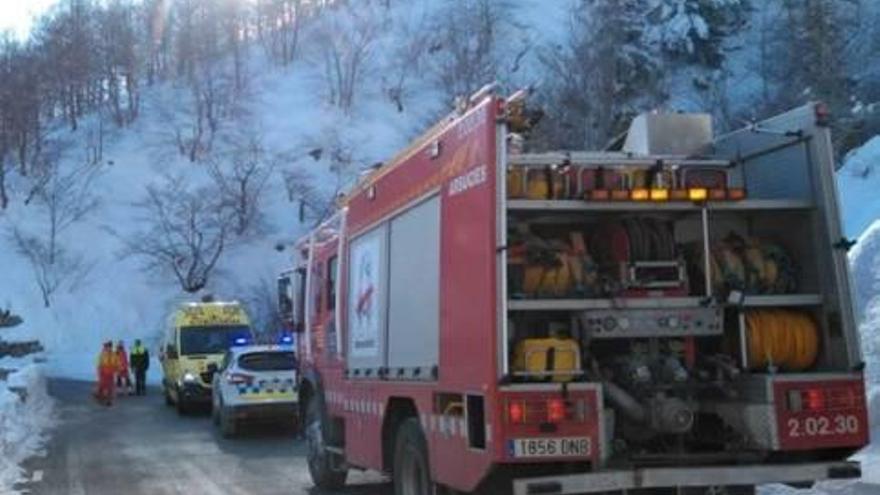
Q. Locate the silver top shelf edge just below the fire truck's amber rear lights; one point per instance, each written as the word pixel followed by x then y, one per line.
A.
pixel 578 205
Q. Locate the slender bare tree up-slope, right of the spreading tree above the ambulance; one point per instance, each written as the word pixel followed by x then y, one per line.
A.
pixel 241 176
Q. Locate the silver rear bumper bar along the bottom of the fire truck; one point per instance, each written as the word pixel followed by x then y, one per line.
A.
pixel 601 481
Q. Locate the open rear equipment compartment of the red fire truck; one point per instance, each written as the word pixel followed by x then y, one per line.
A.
pixel 689 314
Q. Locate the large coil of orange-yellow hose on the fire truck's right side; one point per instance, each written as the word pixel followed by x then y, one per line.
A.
pixel 785 339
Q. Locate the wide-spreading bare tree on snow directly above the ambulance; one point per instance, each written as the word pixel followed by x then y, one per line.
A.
pixel 187 231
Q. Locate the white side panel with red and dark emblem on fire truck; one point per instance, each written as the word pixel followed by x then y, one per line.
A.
pixel 368 273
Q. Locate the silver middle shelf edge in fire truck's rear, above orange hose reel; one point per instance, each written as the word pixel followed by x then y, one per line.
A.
pixel 653 302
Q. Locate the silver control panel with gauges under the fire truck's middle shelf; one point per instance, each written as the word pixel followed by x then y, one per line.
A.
pixel 620 323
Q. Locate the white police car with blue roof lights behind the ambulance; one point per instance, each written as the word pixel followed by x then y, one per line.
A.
pixel 255 382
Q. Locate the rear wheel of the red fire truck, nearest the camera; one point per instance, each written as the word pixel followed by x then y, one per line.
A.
pixel 412 472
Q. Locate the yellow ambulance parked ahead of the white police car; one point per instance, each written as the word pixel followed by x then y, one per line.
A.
pixel 196 339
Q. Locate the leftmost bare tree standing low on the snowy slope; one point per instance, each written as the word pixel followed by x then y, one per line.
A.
pixel 63 199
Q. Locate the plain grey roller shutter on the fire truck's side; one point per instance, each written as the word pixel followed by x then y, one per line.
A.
pixel 414 309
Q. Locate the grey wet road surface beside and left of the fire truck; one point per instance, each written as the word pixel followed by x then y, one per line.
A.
pixel 142 447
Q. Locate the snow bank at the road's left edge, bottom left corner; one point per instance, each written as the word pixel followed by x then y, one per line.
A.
pixel 26 412
